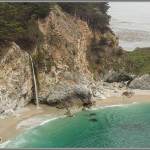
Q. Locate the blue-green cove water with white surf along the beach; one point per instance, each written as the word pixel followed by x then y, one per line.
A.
pixel 113 127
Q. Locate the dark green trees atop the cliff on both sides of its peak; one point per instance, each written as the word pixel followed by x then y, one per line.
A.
pixel 18 21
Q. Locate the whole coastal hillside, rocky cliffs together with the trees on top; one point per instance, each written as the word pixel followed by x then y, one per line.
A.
pixel 69 49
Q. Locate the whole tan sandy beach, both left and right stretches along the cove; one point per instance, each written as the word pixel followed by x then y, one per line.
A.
pixel 30 116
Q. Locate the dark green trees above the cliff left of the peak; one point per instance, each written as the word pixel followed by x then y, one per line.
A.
pixel 18 22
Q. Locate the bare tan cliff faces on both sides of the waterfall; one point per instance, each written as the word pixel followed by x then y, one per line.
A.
pixel 60 63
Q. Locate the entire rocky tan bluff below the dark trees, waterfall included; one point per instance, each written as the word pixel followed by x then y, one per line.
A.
pixel 72 64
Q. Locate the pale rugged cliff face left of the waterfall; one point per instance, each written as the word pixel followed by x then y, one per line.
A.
pixel 15 80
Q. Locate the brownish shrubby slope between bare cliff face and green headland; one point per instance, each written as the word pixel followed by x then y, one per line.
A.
pixel 104 52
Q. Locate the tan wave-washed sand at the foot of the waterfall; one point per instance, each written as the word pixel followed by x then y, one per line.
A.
pixel 13 125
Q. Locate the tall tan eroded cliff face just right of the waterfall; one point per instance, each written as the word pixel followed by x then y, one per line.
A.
pixel 66 42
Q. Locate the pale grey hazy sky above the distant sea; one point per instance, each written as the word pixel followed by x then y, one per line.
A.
pixel 137 12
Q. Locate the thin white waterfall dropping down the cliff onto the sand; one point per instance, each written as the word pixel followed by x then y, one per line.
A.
pixel 34 80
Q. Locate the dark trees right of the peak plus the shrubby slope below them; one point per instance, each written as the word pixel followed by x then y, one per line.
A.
pixel 103 49
